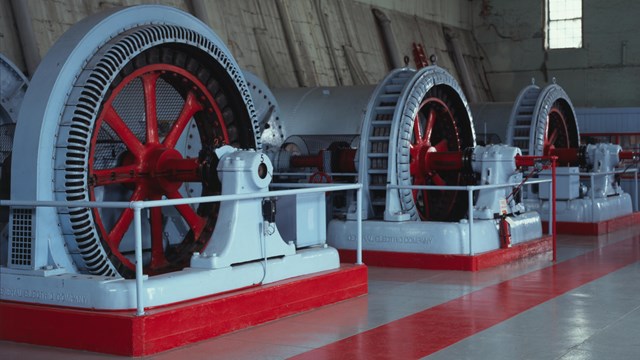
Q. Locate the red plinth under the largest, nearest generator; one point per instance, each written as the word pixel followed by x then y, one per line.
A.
pixel 168 327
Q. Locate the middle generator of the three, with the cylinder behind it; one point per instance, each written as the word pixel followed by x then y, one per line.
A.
pixel 413 129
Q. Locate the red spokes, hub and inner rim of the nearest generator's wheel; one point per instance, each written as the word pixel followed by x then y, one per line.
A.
pixel 151 167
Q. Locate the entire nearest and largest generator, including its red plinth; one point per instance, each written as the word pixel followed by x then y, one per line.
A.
pixel 139 118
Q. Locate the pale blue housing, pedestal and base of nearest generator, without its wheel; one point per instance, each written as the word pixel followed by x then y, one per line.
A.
pixel 42 266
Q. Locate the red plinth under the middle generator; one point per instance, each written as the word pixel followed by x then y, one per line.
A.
pixel 451 262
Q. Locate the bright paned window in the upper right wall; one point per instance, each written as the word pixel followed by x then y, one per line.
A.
pixel 563 24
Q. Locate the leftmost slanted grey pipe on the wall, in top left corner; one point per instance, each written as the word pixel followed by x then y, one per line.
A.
pixel 27 36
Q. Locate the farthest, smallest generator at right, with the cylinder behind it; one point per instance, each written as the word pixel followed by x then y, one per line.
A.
pixel 542 121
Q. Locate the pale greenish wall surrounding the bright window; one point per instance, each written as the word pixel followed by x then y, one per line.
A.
pixel 511 35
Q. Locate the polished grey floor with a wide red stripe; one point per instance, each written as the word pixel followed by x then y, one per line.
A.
pixel 586 306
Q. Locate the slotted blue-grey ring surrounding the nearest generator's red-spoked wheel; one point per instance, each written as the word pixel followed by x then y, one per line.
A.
pixel 120 56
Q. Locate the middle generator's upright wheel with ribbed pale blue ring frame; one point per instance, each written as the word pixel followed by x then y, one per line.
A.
pixel 411 115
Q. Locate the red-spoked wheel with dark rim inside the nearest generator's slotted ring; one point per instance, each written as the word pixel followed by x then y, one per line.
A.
pixel 153 115
